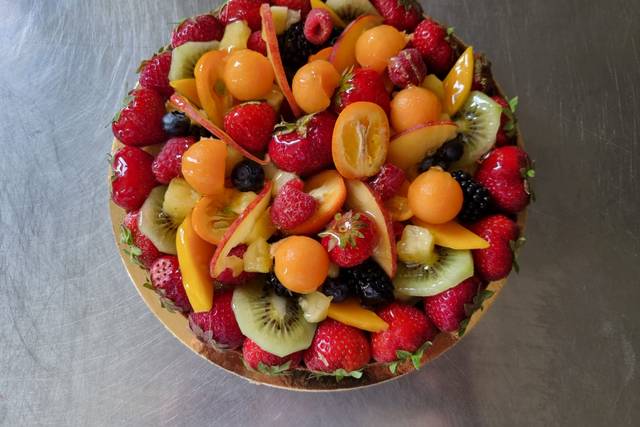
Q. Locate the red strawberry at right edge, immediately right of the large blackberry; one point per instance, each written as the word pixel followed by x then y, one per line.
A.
pixel 506 173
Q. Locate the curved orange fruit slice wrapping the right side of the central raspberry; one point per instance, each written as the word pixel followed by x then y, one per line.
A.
pixel 329 190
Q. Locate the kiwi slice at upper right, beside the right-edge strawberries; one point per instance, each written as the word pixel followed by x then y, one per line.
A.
pixel 478 121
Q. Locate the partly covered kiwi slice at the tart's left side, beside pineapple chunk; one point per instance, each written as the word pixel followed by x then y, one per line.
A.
pixel 156 224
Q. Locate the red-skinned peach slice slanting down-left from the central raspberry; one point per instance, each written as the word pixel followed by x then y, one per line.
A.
pixel 240 230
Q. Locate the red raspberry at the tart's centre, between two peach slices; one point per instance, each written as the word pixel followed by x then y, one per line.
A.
pixel 291 207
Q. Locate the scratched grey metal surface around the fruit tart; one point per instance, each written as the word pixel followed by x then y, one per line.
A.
pixel 560 346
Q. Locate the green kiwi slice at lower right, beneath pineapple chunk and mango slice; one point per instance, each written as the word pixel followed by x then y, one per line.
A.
pixel 452 267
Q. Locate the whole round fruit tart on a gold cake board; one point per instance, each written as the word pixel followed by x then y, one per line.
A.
pixel 318 195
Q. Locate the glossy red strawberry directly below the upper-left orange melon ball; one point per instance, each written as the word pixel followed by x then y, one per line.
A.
pixel 250 125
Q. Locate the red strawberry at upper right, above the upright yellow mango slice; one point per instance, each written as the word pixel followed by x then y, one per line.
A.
pixel 432 41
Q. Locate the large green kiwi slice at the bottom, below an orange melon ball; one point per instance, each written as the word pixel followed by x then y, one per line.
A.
pixel 275 323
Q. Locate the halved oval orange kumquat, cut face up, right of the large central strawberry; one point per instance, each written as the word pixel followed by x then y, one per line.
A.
pixel 360 140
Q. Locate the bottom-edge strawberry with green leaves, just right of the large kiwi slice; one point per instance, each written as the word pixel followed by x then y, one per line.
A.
pixel 338 349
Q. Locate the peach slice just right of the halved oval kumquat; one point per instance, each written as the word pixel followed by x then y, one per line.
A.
pixel 409 147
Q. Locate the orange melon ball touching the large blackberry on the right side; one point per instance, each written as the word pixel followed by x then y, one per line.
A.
pixel 435 197
